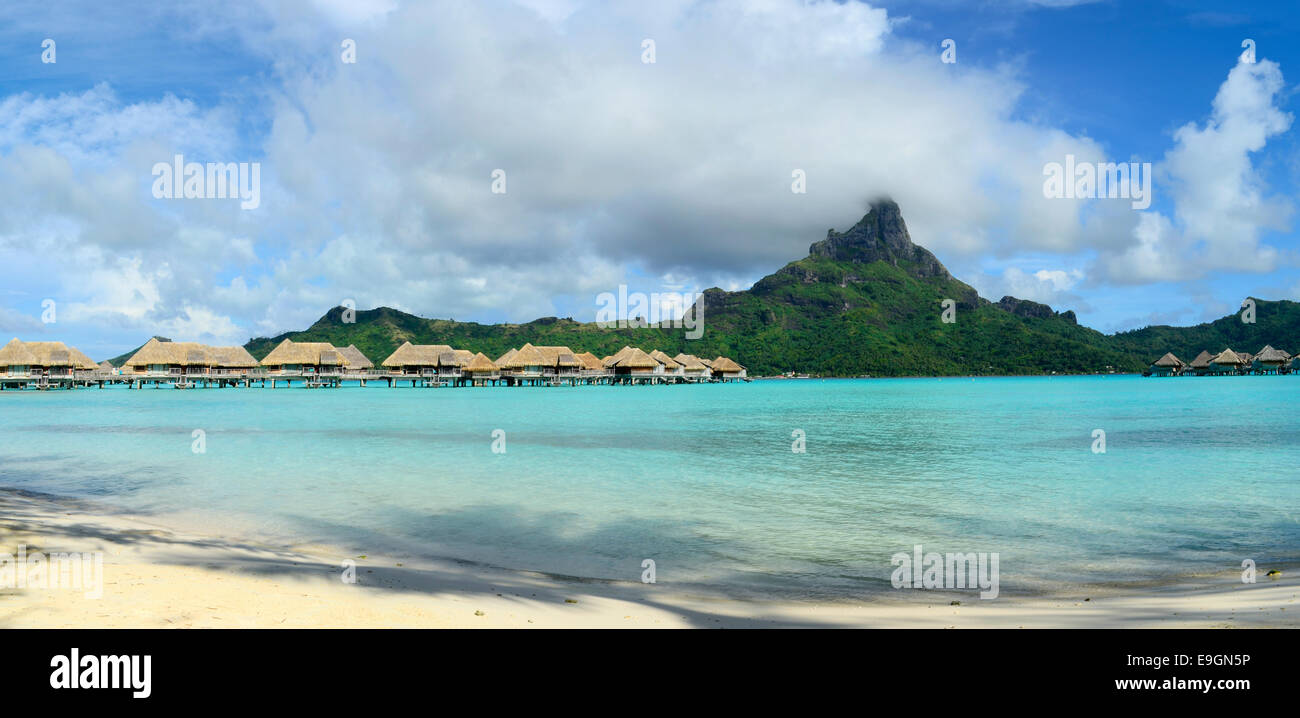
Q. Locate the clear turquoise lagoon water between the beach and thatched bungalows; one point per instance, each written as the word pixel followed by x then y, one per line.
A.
pixel 1198 474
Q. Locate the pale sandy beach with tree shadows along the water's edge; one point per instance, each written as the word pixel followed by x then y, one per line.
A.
pixel 155 577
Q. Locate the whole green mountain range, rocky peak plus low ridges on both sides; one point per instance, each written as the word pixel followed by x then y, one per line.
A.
pixel 868 301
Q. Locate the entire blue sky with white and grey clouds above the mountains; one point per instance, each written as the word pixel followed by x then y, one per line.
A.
pixel 651 145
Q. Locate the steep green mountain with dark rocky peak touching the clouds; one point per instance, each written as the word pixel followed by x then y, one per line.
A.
pixel 870 301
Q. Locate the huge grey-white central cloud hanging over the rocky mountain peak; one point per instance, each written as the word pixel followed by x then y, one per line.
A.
pixel 681 167
